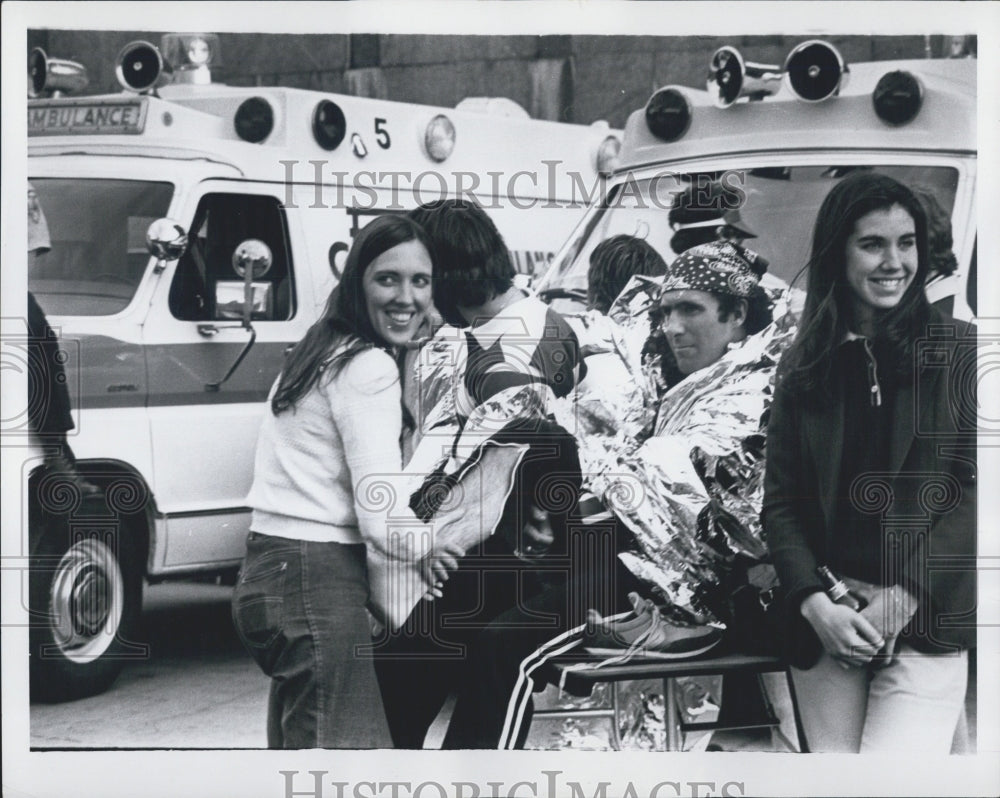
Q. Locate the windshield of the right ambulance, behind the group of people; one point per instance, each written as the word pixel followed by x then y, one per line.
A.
pixel 770 210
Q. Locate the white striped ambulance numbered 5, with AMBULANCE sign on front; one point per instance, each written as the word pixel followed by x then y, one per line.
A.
pixel 196 232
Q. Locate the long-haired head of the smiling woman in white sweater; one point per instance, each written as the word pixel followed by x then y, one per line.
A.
pixel 381 300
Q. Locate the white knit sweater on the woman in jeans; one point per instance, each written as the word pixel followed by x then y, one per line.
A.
pixel 311 458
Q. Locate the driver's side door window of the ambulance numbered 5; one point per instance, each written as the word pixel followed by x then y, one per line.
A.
pixel 206 287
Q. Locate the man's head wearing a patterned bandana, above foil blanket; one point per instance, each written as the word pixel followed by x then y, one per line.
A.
pixel 710 299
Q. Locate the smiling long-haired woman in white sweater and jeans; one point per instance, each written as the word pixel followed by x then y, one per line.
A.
pixel 335 419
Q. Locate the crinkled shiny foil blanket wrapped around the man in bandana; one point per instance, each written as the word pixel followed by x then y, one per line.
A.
pixel 683 470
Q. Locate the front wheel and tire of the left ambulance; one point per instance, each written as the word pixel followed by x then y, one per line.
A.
pixel 85 596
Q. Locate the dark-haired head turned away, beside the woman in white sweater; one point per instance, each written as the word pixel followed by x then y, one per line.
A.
pixel 471 262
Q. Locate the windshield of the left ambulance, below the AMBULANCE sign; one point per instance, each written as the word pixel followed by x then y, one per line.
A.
pixel 97 232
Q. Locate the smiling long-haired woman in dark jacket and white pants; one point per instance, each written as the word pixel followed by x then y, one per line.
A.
pixel 871 473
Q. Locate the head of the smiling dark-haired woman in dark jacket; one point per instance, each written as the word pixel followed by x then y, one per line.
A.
pixel 869 253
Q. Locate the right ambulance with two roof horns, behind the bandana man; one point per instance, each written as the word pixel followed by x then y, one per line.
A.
pixel 768 142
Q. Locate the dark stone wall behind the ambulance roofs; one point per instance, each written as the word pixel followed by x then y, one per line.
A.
pixel 568 78
